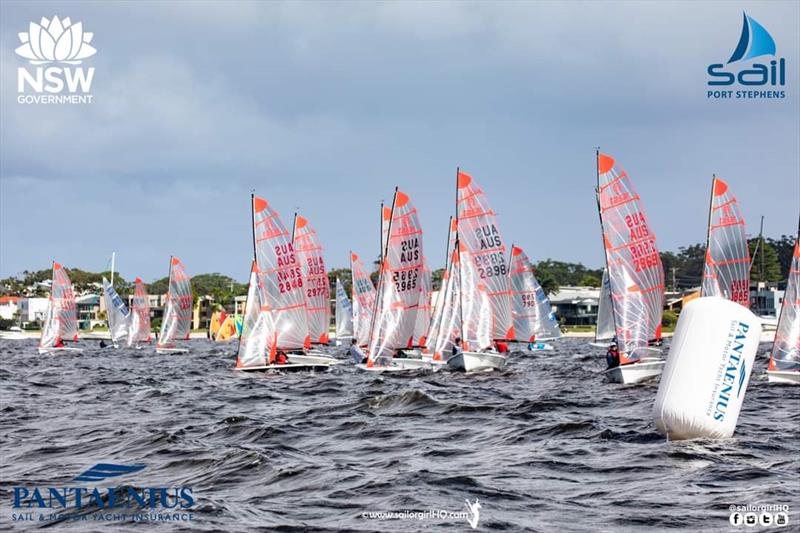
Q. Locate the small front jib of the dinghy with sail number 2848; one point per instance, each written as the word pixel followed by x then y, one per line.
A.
pixel 258 329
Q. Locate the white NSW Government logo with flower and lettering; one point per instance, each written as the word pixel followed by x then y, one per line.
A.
pixel 55 48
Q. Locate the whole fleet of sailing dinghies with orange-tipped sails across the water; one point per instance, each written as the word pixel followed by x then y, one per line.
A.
pixel 489 295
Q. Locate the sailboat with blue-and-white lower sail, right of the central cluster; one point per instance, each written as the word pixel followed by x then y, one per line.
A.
pixel 534 319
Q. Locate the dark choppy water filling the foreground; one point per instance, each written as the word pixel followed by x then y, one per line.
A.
pixel 545 446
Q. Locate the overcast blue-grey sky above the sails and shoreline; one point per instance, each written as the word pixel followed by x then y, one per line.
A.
pixel 326 107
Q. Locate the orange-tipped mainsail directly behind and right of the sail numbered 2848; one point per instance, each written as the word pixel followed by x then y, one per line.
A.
pixel 316 285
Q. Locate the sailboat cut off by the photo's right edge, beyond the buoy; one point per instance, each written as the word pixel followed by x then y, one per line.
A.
pixel 784 361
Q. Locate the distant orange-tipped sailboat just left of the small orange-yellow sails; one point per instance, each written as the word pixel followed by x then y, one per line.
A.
pixel 177 321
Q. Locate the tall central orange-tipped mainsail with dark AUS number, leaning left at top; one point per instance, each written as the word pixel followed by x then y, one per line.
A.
pixel 481 238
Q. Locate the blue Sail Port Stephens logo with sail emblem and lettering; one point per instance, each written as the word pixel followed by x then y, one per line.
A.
pixel 764 78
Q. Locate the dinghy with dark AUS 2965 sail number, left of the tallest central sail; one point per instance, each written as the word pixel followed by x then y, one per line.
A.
pixel 400 286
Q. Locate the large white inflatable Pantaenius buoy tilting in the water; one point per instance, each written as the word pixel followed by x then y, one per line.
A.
pixel 709 364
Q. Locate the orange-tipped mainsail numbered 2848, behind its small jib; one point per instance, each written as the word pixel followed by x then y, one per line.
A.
pixel 283 288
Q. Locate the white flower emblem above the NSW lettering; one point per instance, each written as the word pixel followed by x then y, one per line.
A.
pixel 56 40
